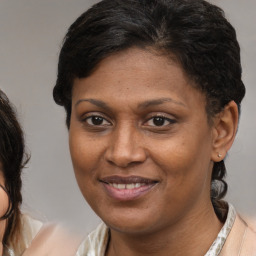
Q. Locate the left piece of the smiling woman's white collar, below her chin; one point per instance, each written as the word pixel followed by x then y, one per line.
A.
pixel 95 243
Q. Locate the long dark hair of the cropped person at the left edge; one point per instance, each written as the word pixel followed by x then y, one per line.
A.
pixel 12 158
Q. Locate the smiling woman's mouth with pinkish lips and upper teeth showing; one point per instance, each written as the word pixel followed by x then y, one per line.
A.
pixel 127 188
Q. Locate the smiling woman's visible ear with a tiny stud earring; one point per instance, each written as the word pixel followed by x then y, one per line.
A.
pixel 224 131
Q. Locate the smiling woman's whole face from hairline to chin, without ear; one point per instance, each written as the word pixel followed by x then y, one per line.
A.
pixel 140 142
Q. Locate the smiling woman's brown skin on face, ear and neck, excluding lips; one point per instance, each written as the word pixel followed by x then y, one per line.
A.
pixel 171 218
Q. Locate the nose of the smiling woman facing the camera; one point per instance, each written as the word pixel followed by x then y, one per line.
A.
pixel 126 147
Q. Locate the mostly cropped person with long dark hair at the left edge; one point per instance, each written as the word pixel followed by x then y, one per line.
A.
pixel 19 233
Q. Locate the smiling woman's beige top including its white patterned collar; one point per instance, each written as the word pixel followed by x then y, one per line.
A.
pixel 234 239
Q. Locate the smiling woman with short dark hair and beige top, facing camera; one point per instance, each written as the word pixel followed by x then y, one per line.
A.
pixel 152 92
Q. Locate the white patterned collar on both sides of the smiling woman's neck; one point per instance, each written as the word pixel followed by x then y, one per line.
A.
pixel 96 242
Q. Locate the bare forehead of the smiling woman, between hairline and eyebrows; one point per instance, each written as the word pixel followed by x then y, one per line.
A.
pixel 137 75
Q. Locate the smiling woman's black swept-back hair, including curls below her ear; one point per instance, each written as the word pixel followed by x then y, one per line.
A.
pixel 194 33
